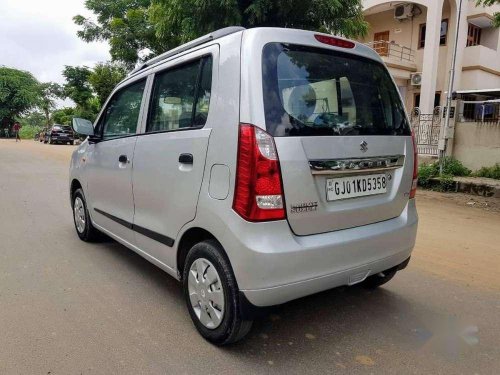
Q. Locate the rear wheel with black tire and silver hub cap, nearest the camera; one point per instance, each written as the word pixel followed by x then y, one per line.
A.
pixel 225 328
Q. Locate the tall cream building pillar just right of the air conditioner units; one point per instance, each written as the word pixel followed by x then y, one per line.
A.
pixel 431 56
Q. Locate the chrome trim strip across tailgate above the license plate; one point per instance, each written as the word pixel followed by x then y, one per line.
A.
pixel 356 165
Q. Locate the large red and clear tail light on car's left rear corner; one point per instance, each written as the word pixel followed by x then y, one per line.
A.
pixel 258 194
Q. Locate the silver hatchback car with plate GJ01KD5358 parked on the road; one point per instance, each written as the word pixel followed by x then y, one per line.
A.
pixel 256 167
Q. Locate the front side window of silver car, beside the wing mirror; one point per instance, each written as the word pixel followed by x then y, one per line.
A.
pixel 122 113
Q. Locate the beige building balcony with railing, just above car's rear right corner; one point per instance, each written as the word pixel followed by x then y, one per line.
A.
pixel 395 55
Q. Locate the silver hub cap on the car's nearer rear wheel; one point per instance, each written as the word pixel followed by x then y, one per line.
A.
pixel 206 294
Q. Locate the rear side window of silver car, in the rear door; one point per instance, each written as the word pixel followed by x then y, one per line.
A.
pixel 181 97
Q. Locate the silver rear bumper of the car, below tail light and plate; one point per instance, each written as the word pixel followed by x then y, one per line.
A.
pixel 273 266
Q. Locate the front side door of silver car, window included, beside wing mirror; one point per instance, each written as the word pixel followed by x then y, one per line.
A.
pixel 109 163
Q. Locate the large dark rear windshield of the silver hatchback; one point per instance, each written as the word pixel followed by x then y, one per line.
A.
pixel 314 92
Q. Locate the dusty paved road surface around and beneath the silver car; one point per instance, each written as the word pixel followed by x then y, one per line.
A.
pixel 68 307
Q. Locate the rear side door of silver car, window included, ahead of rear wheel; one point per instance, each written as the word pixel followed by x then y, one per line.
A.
pixel 169 158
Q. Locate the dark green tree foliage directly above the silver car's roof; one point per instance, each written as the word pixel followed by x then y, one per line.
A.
pixel 183 20
